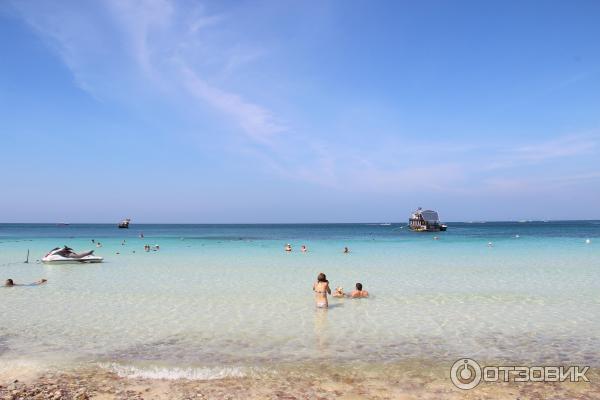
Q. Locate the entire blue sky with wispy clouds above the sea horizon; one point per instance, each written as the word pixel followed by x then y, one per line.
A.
pixel 298 111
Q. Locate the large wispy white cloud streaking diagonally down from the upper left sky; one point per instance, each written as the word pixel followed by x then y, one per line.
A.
pixel 152 37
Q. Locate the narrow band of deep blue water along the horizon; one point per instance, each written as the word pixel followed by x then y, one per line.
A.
pixel 395 231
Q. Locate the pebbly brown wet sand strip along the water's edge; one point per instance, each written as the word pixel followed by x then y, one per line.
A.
pixel 317 381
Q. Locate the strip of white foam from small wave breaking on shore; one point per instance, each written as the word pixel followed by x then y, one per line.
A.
pixel 170 373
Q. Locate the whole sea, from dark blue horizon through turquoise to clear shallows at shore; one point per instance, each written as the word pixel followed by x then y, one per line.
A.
pixel 225 300
